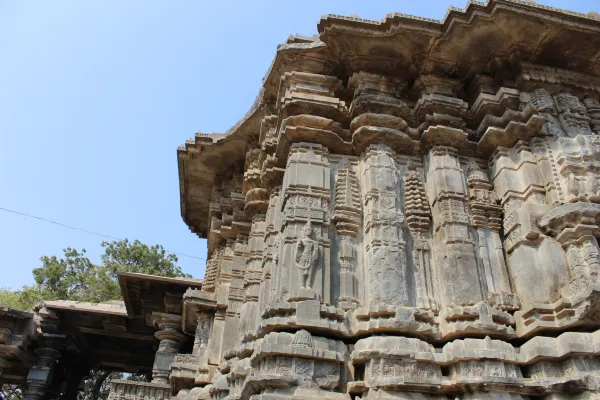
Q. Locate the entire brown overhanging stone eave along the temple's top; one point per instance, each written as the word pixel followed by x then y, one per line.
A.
pixel 498 38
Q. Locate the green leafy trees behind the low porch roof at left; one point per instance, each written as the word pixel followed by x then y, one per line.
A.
pixel 75 277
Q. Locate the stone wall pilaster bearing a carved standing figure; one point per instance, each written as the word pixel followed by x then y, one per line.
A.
pixel 304 269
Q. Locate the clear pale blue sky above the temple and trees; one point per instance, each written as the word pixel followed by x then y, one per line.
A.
pixel 95 97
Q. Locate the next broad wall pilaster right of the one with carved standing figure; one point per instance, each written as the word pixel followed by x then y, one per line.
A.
pixel 385 248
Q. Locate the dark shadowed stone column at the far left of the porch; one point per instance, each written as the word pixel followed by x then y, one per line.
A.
pixel 40 376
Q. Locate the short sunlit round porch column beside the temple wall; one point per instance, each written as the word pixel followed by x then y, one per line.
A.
pixel 171 338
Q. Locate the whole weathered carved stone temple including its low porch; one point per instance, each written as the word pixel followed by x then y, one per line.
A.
pixel 409 210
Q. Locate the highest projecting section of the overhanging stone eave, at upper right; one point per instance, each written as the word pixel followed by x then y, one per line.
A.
pixel 434 46
